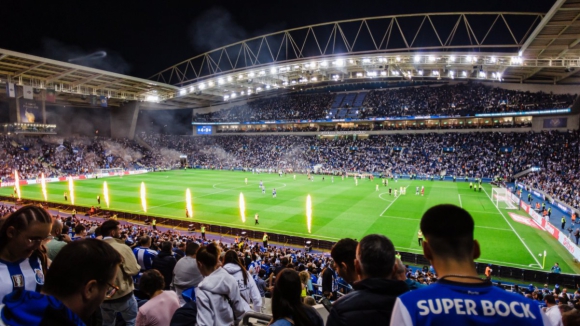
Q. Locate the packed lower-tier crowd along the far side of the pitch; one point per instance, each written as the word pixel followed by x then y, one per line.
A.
pixel 425 155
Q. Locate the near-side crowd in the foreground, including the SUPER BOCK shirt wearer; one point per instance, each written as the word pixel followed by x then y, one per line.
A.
pixel 121 274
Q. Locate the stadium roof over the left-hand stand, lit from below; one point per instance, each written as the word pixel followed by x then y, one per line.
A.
pixel 74 83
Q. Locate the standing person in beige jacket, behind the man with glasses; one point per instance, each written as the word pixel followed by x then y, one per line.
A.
pixel 123 301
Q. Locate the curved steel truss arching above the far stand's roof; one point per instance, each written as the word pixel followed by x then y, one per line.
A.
pixel 433 32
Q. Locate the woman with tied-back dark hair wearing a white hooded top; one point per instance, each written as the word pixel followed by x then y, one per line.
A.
pixel 218 297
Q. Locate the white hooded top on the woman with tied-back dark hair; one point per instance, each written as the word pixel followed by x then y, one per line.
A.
pixel 213 297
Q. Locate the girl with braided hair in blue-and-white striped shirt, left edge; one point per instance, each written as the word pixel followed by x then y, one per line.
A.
pixel 23 262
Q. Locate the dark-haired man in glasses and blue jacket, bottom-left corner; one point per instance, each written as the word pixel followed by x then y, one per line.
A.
pixel 72 292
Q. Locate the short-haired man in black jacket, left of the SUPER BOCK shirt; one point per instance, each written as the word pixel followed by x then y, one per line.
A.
pixel 374 297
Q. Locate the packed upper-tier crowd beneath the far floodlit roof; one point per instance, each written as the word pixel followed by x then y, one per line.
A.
pixel 452 100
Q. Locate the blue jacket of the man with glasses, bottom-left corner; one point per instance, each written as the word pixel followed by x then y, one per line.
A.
pixel 23 308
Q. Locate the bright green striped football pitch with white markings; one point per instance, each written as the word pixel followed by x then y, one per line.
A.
pixel 340 209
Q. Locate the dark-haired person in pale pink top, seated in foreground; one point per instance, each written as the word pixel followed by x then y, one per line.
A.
pixel 161 305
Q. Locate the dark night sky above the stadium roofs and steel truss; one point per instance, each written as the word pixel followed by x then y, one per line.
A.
pixel 142 38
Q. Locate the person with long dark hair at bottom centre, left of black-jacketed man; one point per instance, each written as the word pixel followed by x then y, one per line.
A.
pixel 287 306
